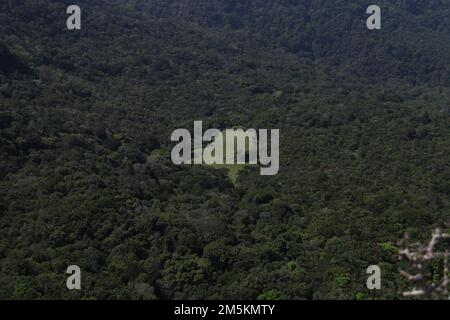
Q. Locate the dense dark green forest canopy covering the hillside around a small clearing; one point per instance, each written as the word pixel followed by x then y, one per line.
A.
pixel 86 117
